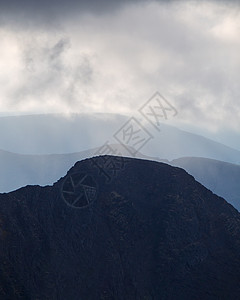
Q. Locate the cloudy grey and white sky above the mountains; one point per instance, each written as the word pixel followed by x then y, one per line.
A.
pixel 112 56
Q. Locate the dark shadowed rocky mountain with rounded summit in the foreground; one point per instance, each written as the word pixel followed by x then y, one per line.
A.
pixel 141 230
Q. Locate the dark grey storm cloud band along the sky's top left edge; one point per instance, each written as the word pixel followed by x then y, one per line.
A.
pixel 45 13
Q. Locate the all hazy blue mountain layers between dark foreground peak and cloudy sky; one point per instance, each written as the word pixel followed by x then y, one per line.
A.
pixel 79 136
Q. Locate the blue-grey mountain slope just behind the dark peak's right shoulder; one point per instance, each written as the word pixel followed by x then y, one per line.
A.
pixel 220 177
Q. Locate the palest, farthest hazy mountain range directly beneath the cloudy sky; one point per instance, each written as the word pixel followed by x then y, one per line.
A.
pixel 52 134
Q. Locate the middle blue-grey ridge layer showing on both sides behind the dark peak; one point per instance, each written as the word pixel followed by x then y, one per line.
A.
pixel 18 170
